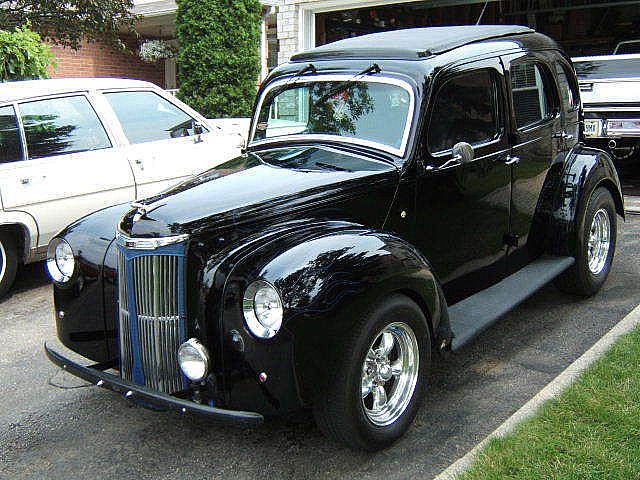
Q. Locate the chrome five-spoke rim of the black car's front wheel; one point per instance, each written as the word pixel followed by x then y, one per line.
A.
pixel 389 374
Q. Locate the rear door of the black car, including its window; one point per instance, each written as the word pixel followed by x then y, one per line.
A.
pixel 537 141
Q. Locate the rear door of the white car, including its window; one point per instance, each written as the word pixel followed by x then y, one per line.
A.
pixel 71 166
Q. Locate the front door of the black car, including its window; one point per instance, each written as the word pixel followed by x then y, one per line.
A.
pixel 462 210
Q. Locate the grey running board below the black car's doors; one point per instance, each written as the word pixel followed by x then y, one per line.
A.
pixel 469 317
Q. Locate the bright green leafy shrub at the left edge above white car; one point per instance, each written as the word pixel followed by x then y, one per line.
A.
pixel 23 56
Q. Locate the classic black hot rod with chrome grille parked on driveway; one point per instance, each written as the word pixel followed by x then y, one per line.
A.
pixel 399 192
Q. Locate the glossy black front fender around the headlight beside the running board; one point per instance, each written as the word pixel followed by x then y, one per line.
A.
pixel 327 279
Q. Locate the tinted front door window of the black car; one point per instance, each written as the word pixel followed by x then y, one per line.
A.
pixel 465 110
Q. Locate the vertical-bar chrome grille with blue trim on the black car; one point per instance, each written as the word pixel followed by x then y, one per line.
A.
pixel 157 317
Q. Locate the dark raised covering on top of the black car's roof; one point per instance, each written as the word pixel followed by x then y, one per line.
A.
pixel 411 43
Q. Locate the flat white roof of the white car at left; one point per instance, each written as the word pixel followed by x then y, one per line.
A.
pixel 19 90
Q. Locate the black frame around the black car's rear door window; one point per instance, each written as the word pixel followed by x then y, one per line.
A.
pixel 551 94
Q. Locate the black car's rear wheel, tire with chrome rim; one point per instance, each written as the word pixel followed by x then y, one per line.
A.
pixel 595 246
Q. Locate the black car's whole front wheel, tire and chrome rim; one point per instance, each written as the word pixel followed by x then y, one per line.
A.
pixel 377 381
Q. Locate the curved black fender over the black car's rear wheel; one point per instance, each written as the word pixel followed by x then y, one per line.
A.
pixel 585 170
